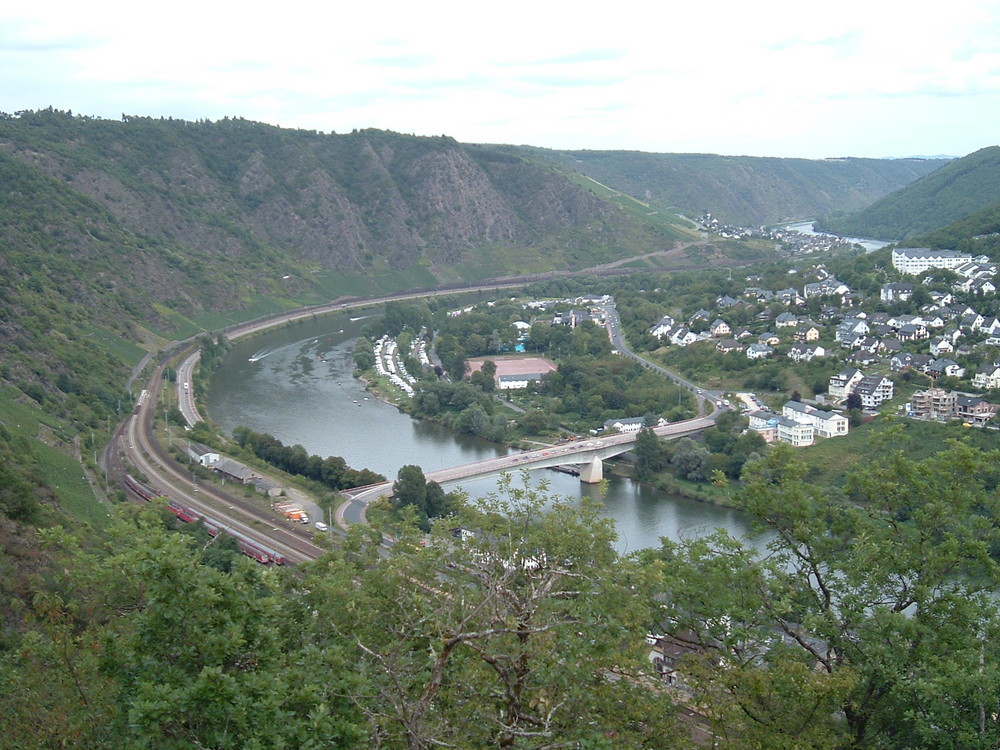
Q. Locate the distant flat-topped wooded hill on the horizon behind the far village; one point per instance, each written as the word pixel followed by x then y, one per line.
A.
pixel 745 190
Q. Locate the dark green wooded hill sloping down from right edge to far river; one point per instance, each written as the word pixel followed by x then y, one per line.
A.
pixel 953 192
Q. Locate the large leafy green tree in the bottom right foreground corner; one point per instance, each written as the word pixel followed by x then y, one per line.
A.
pixel 866 623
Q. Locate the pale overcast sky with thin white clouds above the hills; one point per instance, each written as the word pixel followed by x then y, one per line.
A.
pixel 874 78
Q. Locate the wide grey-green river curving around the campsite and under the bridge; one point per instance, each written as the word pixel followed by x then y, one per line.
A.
pixel 296 384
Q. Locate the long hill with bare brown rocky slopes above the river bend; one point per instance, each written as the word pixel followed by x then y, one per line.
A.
pixel 234 193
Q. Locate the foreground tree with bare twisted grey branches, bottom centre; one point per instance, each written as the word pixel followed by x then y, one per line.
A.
pixel 526 633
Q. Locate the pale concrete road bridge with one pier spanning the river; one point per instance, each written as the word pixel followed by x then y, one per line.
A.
pixel 588 454
